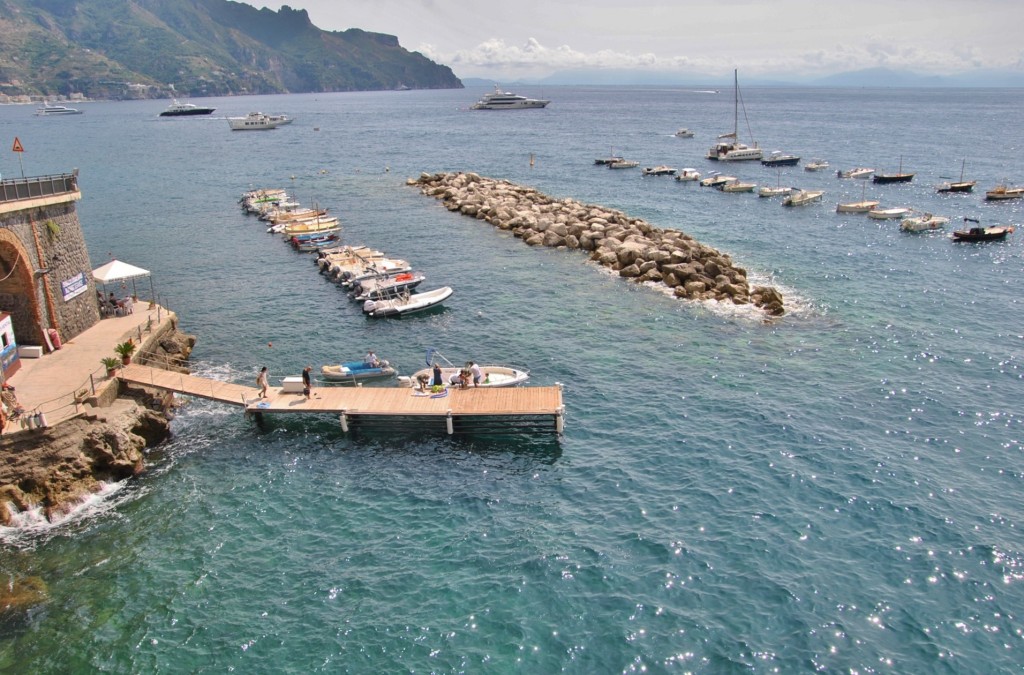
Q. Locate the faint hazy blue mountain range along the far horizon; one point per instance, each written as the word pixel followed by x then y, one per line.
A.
pixel 876 77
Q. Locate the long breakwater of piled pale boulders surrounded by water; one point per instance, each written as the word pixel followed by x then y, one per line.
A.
pixel 632 247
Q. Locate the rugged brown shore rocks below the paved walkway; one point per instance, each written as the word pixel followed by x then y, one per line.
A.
pixel 57 469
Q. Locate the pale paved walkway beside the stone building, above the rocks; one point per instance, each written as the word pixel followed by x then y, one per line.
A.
pixel 51 385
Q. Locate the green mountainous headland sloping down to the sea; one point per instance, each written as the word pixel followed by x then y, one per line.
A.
pixel 147 49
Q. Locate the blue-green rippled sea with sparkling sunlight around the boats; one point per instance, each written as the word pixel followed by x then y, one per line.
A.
pixel 839 490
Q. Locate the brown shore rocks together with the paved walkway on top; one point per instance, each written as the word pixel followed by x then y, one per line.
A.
pixel 94 435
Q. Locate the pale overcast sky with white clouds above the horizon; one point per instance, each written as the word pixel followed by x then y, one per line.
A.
pixel 525 39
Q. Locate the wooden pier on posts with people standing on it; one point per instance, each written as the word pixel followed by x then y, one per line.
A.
pixel 506 410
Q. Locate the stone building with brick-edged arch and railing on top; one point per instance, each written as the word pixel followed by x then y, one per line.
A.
pixel 46 275
